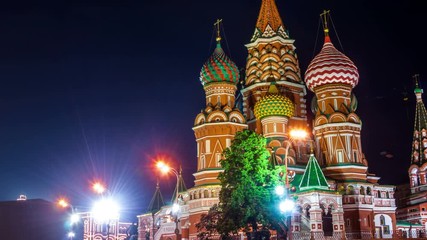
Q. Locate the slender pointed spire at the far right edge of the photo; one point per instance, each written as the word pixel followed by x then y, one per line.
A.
pixel 418 150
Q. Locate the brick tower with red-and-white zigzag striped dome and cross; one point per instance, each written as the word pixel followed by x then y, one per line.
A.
pixel 332 76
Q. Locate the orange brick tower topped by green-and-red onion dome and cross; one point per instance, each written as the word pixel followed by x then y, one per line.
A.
pixel 217 124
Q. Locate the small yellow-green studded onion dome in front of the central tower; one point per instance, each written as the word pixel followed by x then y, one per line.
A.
pixel 274 104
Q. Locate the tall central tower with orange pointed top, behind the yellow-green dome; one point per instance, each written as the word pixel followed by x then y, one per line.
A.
pixel 272 58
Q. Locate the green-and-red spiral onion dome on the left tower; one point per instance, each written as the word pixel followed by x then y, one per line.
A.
pixel 219 68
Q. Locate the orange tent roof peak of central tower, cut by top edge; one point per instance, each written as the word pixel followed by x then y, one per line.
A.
pixel 269 22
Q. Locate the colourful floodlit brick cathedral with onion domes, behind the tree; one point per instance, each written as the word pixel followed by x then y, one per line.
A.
pixel 336 196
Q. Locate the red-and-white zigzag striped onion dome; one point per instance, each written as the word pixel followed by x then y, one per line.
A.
pixel 331 66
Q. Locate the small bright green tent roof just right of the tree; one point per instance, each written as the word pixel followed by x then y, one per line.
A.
pixel 313 178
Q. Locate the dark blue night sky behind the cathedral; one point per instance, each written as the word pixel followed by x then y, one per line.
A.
pixel 97 90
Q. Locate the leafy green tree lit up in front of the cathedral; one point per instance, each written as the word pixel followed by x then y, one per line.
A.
pixel 246 200
